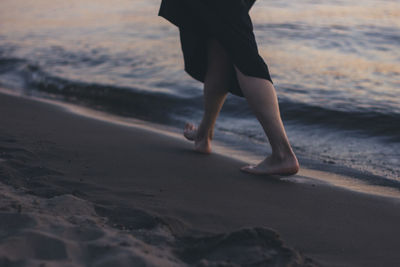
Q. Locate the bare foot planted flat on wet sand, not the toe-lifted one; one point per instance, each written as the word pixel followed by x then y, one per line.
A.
pixel 274 166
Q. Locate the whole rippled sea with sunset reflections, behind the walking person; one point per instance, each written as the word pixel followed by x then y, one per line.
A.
pixel 335 65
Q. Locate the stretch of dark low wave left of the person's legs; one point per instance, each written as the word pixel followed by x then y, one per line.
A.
pixel 123 101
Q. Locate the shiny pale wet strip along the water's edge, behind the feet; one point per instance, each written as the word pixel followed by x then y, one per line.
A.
pixel 337 176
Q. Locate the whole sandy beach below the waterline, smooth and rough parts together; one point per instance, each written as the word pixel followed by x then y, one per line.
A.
pixel 78 190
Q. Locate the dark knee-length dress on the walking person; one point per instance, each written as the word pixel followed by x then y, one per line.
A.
pixel 229 22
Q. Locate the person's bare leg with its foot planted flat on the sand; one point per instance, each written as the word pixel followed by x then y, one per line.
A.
pixel 261 96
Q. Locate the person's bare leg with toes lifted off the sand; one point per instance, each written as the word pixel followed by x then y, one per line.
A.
pixel 215 91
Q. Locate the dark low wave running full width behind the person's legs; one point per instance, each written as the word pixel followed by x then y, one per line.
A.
pixel 167 108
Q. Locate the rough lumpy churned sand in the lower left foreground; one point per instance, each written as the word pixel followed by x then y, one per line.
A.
pixel 68 231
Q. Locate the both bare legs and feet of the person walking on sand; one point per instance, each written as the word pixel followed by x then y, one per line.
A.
pixel 261 96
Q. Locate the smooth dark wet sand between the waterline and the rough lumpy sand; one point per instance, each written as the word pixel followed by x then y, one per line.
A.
pixel 51 152
